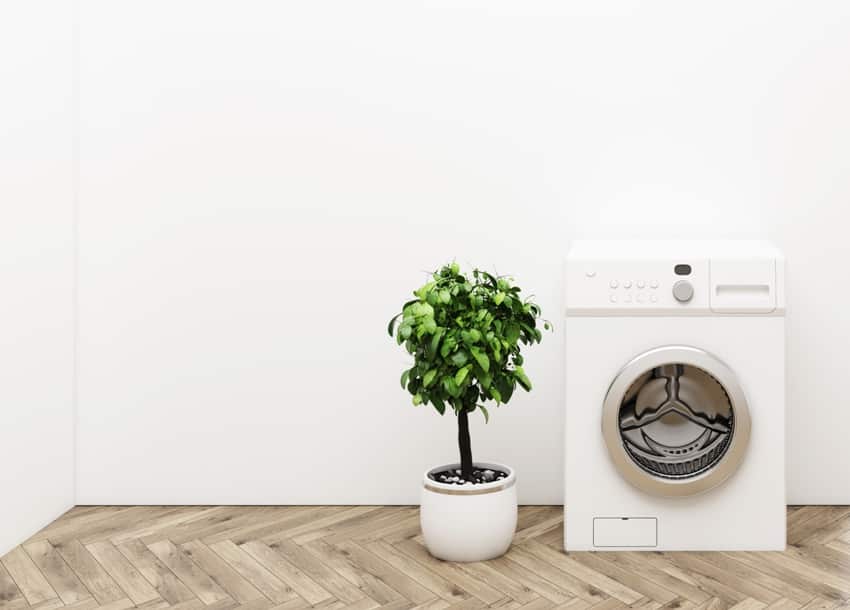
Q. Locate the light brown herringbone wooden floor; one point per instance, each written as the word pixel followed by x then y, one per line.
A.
pixel 369 557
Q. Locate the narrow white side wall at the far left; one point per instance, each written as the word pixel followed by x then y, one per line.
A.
pixel 36 267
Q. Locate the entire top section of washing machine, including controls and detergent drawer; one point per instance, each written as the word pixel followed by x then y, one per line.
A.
pixel 657 277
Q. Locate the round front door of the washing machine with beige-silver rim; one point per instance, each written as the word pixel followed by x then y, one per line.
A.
pixel 676 421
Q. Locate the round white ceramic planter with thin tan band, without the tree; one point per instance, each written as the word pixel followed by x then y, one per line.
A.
pixel 468 522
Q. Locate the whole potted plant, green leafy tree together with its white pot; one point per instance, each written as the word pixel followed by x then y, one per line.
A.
pixel 465 335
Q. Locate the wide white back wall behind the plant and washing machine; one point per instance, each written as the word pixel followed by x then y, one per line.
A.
pixel 262 183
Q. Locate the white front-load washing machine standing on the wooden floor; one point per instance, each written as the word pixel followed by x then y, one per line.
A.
pixel 675 396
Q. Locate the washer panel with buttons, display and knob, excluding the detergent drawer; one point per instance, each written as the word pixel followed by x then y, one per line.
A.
pixel 640 286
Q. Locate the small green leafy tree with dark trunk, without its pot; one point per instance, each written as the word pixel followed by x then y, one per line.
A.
pixel 465 337
